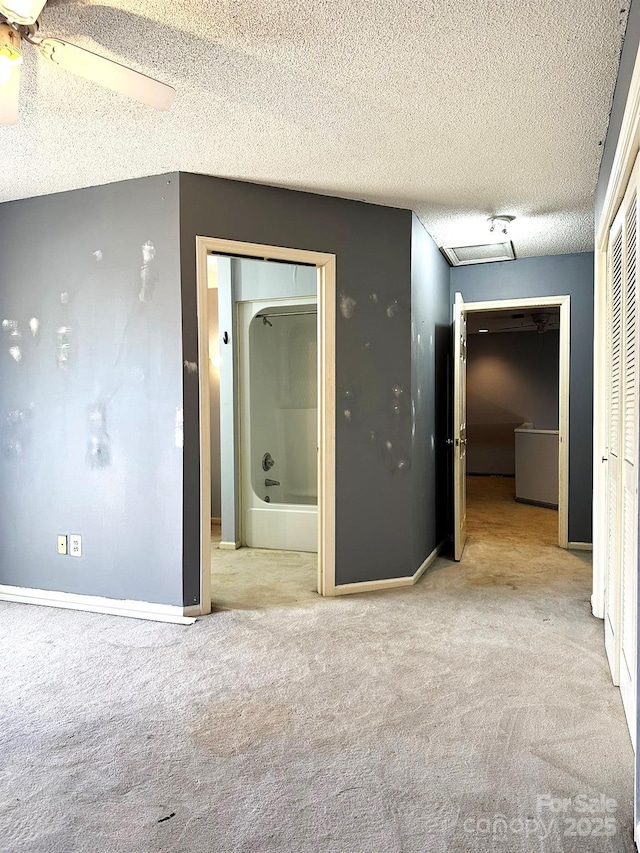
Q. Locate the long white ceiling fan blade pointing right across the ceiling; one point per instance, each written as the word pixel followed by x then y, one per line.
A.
pixel 108 73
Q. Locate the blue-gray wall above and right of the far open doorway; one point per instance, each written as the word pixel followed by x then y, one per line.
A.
pixel 552 276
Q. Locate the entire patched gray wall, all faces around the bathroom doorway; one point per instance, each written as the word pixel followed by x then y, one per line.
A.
pixel 99 383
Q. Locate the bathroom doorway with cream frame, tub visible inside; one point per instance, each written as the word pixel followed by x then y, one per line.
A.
pixel 245 274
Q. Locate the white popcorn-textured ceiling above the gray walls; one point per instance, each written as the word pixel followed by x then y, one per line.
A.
pixel 455 108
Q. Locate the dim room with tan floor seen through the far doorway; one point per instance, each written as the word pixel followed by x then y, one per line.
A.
pixel 512 423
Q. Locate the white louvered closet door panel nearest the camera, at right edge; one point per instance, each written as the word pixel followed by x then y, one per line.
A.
pixel 629 457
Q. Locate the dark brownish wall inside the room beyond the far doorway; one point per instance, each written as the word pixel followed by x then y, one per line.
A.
pixel 512 377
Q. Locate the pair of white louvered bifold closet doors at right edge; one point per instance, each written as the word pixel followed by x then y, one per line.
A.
pixel 623 447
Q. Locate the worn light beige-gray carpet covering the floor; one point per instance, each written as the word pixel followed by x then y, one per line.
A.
pixel 402 722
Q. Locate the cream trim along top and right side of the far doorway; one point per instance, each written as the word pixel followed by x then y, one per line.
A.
pixel 564 303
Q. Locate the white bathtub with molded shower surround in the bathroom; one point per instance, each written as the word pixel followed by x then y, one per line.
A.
pixel 279 416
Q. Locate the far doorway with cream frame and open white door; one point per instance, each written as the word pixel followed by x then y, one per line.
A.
pixel 488 446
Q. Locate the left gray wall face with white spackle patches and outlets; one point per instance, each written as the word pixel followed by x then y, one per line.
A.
pixel 91 391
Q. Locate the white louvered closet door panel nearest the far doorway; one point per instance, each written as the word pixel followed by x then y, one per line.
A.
pixel 614 376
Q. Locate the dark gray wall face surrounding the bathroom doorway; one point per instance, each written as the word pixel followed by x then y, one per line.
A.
pixel 376 466
